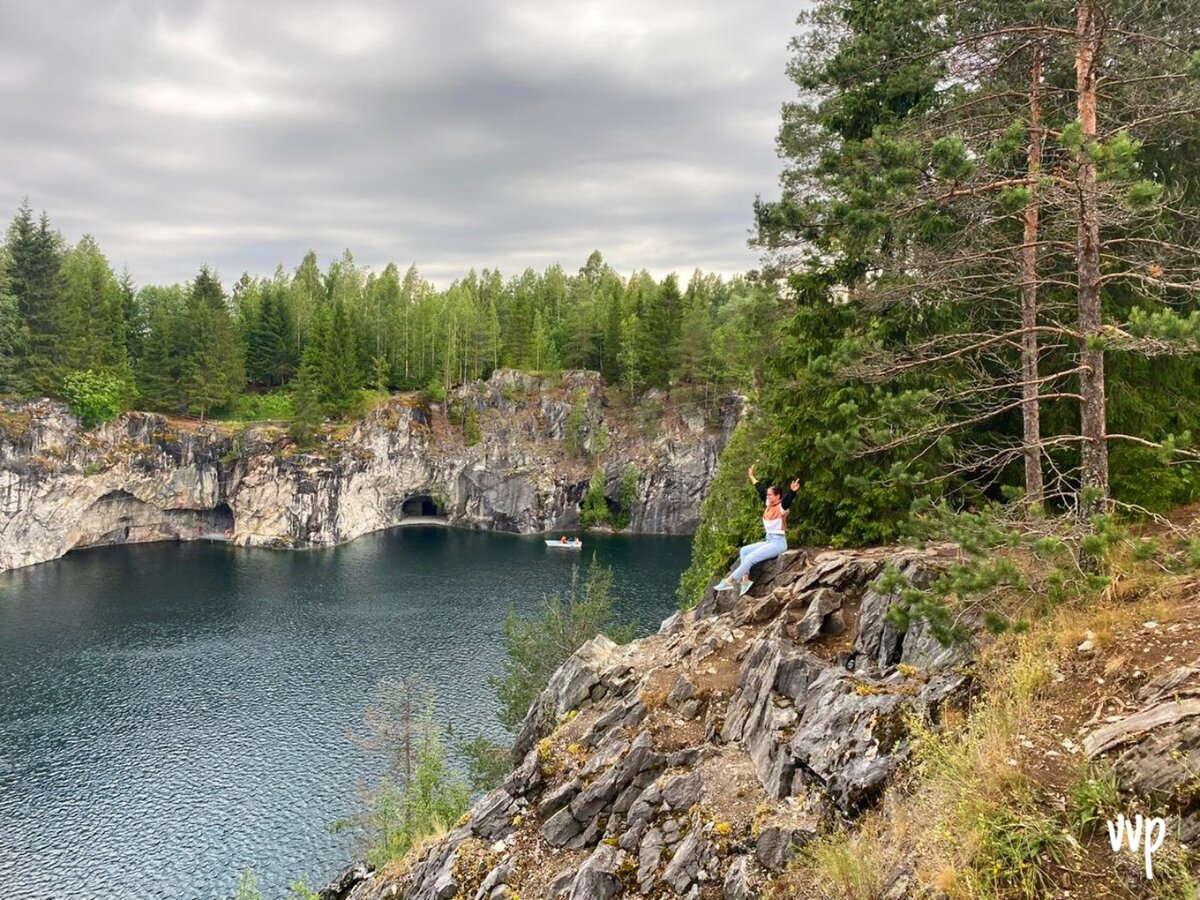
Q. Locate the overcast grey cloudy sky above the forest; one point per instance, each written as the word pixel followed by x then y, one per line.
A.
pixel 453 134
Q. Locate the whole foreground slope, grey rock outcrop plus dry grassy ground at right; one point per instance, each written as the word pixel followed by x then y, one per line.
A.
pixel 700 763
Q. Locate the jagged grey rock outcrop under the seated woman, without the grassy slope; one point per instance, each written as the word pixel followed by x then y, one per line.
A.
pixel 697 763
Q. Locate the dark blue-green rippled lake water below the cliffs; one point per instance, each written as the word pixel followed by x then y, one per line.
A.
pixel 172 715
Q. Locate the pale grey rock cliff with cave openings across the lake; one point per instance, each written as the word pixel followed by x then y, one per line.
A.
pixel 521 465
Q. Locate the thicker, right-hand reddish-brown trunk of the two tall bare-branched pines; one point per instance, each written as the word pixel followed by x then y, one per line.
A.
pixel 1095 463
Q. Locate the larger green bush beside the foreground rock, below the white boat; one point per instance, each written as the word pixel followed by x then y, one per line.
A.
pixel 538 646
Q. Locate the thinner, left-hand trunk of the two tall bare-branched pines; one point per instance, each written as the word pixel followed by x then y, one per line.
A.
pixel 1030 411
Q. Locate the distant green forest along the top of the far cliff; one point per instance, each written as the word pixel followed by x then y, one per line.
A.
pixel 70 326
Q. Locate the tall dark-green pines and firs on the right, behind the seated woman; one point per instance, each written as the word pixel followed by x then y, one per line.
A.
pixel 989 230
